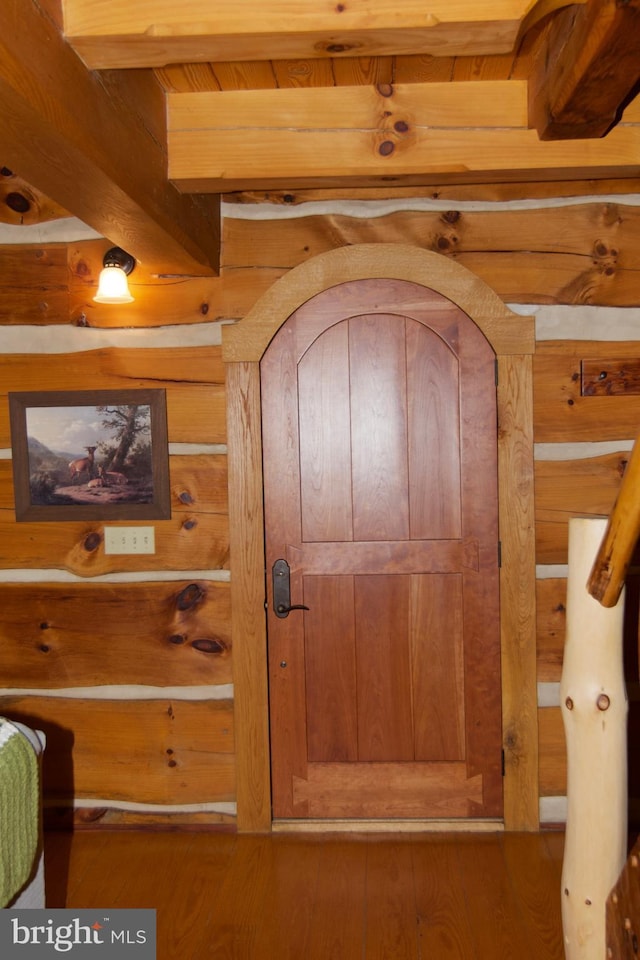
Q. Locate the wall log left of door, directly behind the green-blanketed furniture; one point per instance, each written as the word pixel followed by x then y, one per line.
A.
pixel 151 751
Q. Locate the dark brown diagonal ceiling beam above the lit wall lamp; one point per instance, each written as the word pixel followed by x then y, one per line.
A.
pixel 92 143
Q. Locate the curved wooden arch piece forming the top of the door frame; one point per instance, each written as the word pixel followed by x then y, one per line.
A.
pixel 507 332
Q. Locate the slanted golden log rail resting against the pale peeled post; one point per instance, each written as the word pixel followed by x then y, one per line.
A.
pixel 623 530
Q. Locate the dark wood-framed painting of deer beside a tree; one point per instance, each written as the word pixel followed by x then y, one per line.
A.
pixel 48 488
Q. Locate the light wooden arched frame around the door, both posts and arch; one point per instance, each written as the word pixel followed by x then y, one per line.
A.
pixel 512 338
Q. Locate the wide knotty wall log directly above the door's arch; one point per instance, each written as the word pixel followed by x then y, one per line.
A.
pixel 594 265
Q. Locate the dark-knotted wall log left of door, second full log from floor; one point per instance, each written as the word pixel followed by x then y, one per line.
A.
pixel 77 635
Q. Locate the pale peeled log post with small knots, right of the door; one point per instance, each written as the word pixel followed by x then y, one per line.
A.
pixel 594 712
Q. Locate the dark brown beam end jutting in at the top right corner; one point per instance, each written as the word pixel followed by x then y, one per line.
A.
pixel 586 69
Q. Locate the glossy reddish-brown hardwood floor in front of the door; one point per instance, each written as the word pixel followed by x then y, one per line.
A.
pixel 322 897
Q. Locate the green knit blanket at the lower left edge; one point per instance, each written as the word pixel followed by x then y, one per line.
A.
pixel 19 810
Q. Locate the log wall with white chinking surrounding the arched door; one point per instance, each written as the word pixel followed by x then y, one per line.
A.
pixel 127 661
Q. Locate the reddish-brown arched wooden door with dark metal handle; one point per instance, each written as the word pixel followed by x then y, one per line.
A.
pixel 381 509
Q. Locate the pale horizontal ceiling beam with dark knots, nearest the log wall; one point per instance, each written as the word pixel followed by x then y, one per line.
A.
pixel 362 136
